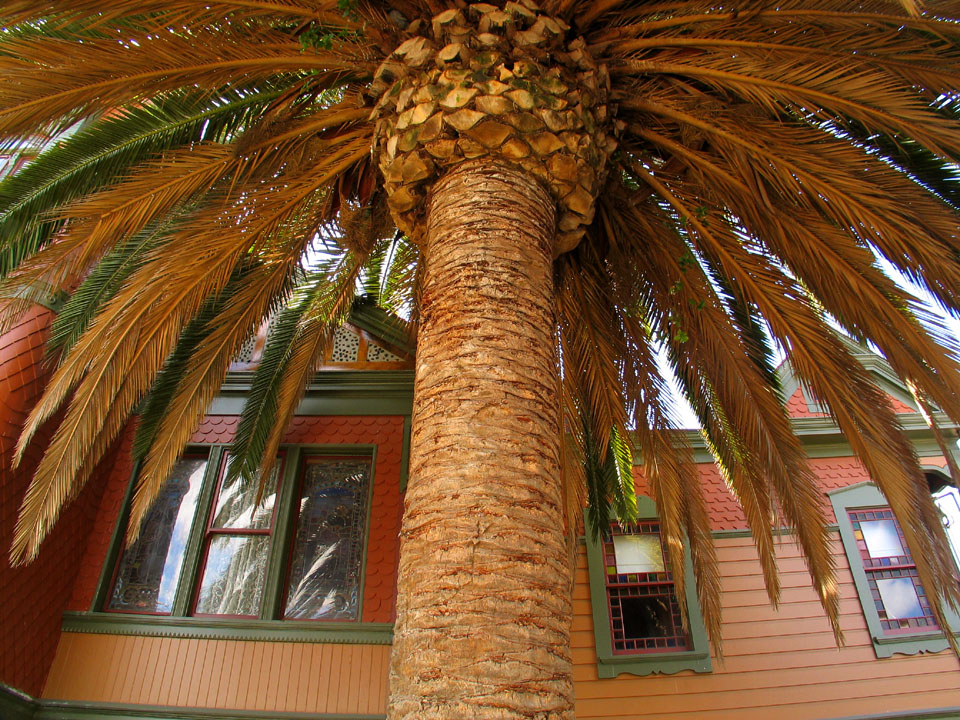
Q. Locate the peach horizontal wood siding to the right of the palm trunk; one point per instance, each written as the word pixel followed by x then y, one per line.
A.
pixel 778 663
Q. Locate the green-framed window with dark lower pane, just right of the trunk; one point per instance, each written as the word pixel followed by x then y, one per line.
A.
pixel 638 625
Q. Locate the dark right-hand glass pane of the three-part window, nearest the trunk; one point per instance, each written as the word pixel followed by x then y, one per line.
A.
pixel 328 548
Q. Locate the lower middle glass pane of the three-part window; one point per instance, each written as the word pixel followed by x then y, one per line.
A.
pixel 233 577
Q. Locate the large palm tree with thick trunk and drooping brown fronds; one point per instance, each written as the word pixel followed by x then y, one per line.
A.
pixel 576 184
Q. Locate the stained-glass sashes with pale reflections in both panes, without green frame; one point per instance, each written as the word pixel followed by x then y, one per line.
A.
pixel 895 588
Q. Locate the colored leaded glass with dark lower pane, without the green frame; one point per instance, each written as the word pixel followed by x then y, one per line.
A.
pixel 645 616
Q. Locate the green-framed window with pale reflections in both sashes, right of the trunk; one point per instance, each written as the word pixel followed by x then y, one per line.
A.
pixel 895 604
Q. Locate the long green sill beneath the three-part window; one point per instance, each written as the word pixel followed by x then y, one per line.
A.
pixel 306 631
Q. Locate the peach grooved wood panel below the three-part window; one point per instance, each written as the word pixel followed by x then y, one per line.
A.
pixel 227 674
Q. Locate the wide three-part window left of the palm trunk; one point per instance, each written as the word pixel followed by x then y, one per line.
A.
pixel 209 549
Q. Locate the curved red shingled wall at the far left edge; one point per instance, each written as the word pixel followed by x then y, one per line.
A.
pixel 32 598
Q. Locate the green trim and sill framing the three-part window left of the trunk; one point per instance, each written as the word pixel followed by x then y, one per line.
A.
pixel 270 626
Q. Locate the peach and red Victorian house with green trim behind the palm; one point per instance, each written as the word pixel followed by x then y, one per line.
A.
pixel 221 610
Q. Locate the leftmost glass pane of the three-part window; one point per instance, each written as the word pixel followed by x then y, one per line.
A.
pixel 148 570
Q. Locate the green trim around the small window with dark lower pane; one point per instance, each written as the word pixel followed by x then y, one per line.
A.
pixel 610 665
